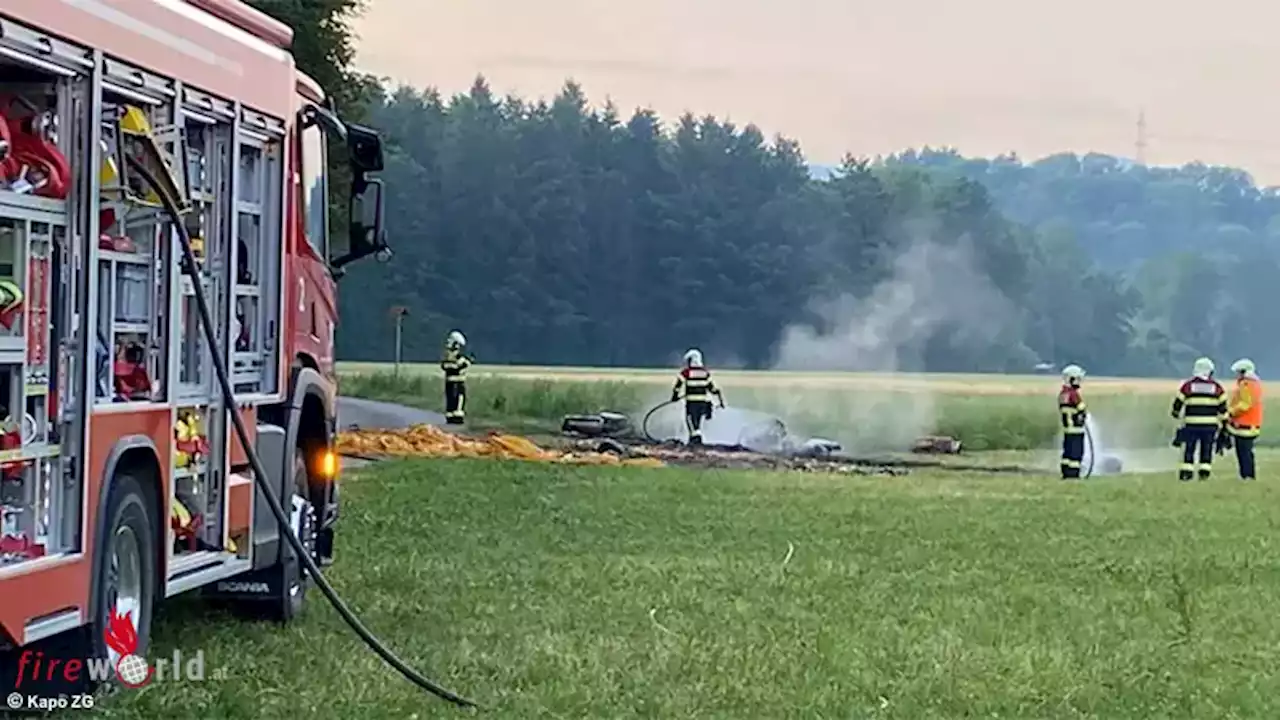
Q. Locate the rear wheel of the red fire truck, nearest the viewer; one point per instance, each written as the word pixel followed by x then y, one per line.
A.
pixel 127 566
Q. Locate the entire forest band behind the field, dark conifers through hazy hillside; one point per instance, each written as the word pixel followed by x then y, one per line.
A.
pixel 569 233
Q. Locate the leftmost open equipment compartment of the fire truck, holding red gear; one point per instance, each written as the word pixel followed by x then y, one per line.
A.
pixel 45 116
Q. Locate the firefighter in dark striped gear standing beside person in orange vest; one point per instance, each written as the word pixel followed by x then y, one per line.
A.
pixel 1201 405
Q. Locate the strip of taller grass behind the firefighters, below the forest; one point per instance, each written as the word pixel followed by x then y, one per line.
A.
pixel 858 418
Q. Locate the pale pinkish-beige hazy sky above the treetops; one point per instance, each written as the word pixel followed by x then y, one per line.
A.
pixel 985 76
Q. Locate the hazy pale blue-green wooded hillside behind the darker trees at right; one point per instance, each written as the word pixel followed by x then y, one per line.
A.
pixel 1196 247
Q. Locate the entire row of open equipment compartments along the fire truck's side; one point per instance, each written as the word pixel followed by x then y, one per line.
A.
pixel 115 315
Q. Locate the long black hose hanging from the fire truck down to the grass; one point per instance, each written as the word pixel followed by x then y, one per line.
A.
pixel 189 265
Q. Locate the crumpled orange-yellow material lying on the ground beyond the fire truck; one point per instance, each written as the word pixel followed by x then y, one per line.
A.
pixel 431 441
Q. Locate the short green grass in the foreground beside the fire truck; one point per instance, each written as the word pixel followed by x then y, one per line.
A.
pixel 551 591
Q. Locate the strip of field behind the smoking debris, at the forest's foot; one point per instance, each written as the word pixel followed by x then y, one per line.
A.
pixel 863 412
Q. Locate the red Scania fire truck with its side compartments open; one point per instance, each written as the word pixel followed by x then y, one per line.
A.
pixel 121 480
